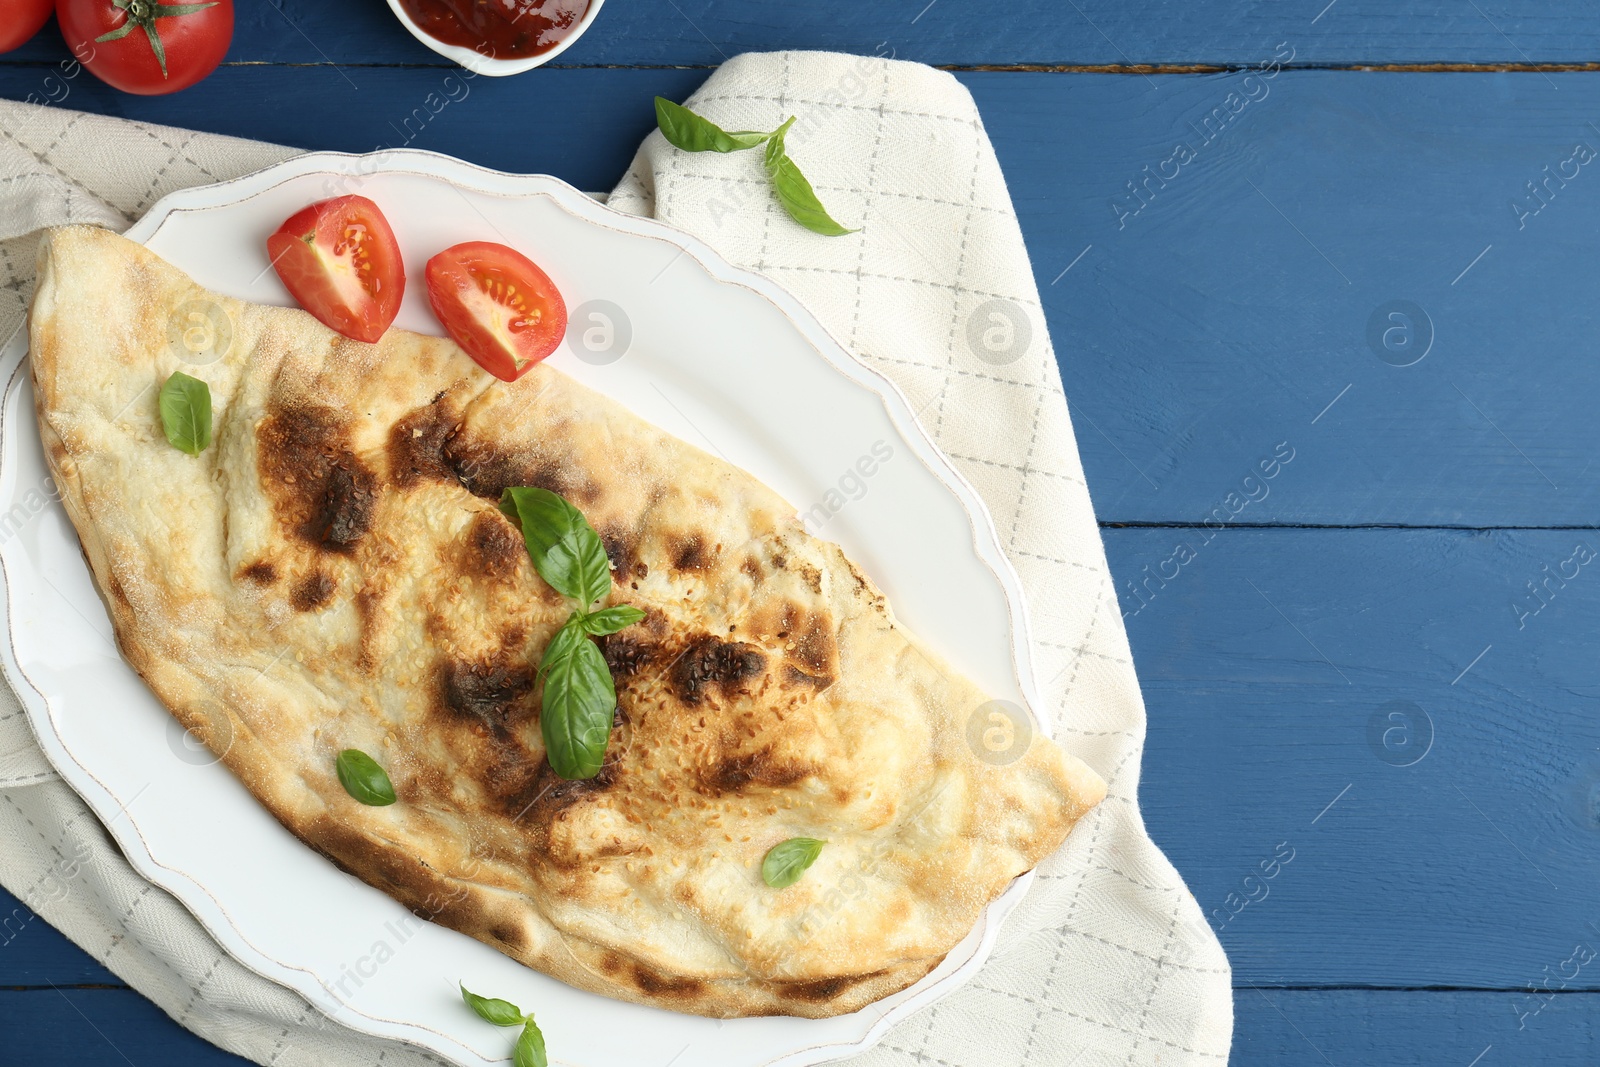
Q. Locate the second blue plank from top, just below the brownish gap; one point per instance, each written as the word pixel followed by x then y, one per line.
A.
pixel 1217 314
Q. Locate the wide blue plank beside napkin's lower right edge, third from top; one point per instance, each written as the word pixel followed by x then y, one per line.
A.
pixel 1375 754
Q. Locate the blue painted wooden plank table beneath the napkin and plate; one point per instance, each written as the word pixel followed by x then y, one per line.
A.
pixel 1378 271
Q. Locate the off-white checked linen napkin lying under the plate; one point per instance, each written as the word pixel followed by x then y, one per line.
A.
pixel 1108 961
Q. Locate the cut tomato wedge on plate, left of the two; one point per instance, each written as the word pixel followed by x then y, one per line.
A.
pixel 342 263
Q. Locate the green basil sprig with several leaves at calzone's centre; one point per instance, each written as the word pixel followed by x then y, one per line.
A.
pixel 580 697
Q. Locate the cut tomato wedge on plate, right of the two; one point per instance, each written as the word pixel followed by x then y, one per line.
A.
pixel 498 306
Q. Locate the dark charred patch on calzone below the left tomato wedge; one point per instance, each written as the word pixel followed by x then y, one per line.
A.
pixel 322 490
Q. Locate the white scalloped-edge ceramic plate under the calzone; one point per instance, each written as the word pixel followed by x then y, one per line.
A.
pixel 718 356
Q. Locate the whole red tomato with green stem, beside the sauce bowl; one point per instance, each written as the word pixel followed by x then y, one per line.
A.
pixel 146 47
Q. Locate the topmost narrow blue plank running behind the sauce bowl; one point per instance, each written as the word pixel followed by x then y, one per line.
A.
pixel 1095 33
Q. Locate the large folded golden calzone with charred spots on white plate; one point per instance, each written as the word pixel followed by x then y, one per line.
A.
pixel 334 572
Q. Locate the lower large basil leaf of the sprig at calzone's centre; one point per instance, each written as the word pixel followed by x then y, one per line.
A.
pixel 580 703
